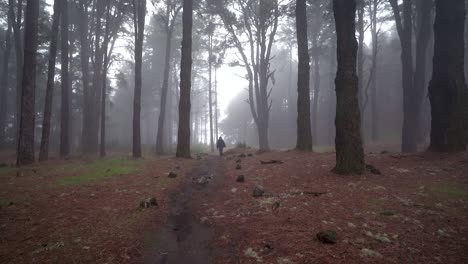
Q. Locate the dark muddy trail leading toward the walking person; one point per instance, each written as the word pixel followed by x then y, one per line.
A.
pixel 183 239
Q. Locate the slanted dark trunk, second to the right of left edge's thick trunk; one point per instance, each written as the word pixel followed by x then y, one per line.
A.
pixel 44 148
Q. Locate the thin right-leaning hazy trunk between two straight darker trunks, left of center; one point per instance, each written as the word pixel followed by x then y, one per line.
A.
pixel 164 89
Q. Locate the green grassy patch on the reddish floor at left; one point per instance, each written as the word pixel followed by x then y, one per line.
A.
pixel 99 170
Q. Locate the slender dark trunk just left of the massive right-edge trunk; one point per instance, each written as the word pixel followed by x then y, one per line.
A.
pixel 423 8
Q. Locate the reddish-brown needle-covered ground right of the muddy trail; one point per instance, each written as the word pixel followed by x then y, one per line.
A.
pixel 416 211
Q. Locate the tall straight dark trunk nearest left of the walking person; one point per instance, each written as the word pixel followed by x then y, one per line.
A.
pixel 183 139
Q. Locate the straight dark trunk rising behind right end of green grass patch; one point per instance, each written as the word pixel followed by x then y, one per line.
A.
pixel 139 23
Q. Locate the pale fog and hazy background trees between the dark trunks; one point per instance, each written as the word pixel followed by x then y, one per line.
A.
pixel 217 52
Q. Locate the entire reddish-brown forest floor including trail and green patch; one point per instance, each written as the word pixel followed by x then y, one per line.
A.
pixel 78 211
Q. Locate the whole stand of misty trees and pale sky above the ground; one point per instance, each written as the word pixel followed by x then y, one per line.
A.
pixel 348 75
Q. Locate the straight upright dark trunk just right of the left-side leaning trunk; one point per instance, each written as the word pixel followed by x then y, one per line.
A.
pixel 65 96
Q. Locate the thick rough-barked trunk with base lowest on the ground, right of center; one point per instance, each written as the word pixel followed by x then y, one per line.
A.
pixel 348 143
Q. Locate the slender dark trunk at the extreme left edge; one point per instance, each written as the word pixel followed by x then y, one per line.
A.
pixel 4 84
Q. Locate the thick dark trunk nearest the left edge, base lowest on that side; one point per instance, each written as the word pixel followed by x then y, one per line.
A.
pixel 25 152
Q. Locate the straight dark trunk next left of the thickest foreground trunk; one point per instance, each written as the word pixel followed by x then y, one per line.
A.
pixel 304 133
